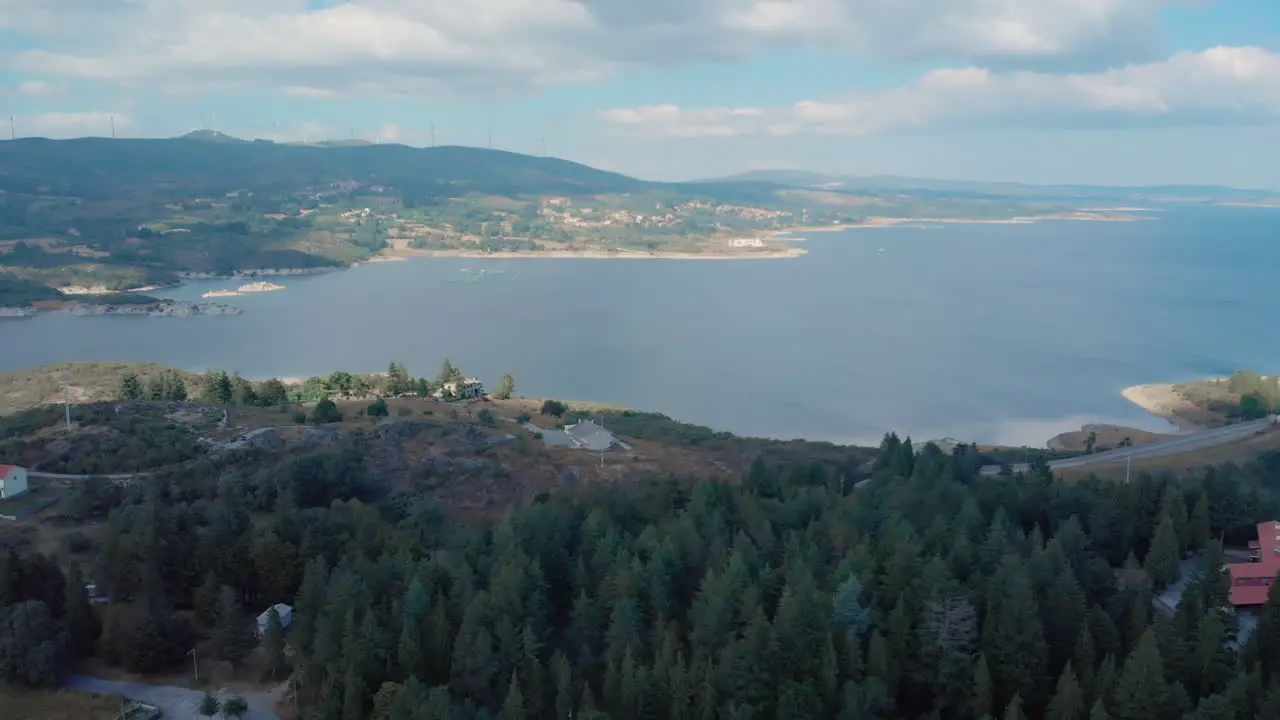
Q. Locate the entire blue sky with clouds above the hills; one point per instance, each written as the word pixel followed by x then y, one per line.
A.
pixel 1045 92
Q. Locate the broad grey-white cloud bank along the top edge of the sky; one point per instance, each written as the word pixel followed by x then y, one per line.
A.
pixel 445 47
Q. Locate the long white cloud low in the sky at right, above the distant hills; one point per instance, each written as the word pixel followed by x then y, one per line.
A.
pixel 1233 85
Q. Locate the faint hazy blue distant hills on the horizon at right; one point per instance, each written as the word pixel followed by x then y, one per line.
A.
pixel 979 189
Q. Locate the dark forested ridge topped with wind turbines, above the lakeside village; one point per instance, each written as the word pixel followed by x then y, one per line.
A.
pixel 97 168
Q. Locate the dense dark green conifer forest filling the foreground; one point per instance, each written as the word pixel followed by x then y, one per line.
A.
pixel 930 594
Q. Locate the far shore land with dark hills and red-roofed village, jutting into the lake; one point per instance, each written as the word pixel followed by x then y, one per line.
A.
pixel 116 217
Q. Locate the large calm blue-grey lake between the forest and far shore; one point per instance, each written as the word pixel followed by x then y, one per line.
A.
pixel 991 332
